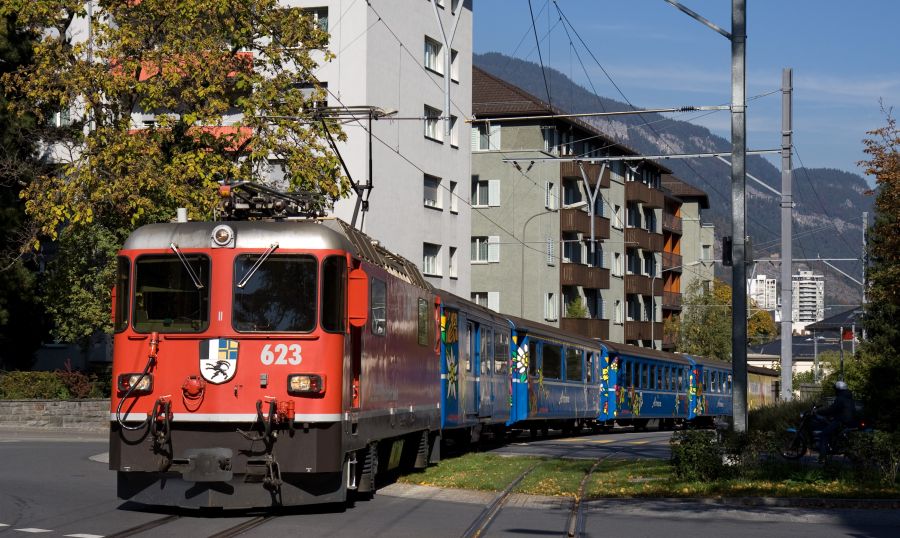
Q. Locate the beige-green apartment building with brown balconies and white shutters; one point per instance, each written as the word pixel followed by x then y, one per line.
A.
pixel 532 253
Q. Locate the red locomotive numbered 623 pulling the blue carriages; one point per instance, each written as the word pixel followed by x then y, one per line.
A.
pixel 264 363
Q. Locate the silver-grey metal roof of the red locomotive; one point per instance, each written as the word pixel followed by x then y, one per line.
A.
pixel 318 234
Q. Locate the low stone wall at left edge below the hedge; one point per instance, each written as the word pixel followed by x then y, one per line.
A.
pixel 71 415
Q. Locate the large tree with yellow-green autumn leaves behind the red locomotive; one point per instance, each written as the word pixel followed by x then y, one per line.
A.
pixel 166 99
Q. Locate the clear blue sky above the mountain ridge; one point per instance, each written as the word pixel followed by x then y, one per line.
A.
pixel 845 57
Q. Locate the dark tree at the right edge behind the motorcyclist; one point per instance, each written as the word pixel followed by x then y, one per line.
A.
pixel 880 387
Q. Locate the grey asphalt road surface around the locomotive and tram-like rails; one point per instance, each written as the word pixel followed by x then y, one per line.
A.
pixel 51 486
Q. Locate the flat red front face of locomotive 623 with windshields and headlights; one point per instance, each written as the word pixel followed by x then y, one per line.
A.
pixel 229 363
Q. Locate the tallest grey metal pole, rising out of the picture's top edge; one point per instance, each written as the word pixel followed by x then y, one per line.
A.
pixel 738 214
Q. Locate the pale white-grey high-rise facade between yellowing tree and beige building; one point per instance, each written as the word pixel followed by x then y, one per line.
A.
pixel 390 55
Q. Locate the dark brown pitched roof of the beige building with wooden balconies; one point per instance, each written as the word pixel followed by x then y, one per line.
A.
pixel 493 97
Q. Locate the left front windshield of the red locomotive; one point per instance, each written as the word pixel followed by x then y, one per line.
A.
pixel 166 299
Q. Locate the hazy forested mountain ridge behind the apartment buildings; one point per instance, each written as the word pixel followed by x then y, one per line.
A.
pixel 828 203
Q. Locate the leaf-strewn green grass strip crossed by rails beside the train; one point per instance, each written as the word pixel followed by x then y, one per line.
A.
pixel 646 478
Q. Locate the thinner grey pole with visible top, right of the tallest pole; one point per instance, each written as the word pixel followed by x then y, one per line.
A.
pixel 787 203
